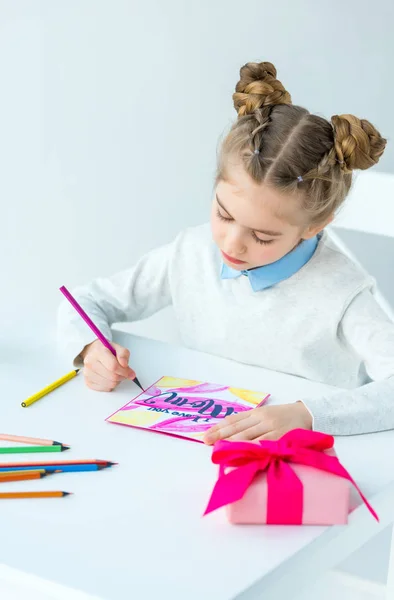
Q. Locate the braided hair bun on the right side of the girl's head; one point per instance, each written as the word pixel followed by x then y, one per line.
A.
pixel 357 143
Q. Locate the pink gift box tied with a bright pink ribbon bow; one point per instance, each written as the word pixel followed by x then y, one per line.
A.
pixel 296 480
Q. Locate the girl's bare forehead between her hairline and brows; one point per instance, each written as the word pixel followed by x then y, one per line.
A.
pixel 255 204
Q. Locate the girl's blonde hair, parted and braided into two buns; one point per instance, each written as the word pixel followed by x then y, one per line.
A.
pixel 293 150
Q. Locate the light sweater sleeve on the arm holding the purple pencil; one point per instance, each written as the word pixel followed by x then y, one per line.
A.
pixel 129 295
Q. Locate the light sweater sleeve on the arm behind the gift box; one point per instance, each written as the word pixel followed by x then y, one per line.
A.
pixel 367 331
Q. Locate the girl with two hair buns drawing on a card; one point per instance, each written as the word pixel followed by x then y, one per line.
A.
pixel 265 284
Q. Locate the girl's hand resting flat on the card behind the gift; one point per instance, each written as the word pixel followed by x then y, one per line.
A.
pixel 263 423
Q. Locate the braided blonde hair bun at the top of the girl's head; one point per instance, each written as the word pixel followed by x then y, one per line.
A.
pixel 258 88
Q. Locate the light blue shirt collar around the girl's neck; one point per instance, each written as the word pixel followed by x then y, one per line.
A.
pixel 268 275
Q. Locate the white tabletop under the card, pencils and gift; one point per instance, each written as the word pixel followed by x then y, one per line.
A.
pixel 135 531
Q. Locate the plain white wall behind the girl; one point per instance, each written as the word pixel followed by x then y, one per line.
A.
pixel 111 112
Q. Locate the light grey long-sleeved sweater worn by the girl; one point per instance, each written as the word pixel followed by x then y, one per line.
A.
pixel 323 323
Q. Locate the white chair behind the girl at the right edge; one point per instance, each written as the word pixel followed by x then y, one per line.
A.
pixel 364 229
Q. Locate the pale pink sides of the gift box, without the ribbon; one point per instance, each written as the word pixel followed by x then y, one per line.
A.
pixel 326 498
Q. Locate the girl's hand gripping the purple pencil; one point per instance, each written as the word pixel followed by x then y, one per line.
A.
pixel 102 371
